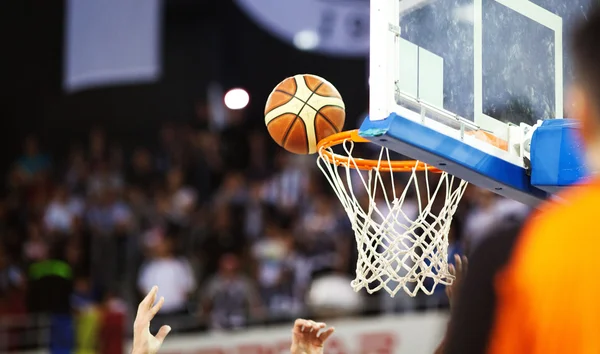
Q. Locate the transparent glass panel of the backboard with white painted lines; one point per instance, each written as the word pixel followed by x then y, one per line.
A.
pixel 490 61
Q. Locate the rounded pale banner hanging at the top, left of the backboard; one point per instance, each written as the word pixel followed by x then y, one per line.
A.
pixel 338 27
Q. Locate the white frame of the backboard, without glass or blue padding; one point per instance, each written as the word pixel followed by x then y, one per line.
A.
pixel 385 81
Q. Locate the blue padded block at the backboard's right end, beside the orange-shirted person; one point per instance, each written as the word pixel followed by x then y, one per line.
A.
pixel 557 158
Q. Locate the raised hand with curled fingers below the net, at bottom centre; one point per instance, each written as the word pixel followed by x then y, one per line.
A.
pixel 308 337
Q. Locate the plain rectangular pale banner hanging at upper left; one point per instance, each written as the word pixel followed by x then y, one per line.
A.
pixel 111 42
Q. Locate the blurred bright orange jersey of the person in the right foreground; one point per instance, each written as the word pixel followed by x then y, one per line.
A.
pixel 547 296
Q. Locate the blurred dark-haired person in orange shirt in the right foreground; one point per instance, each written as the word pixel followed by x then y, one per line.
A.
pixel 536 292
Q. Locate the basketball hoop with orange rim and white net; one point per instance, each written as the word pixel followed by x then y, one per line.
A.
pixel 401 226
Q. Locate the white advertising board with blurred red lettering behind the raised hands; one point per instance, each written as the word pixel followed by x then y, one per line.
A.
pixel 407 334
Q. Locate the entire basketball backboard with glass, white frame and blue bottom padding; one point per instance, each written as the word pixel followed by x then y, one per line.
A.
pixel 463 84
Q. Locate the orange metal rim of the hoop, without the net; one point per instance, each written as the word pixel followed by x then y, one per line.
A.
pixel 364 164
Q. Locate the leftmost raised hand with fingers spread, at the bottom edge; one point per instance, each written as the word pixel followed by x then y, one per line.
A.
pixel 143 341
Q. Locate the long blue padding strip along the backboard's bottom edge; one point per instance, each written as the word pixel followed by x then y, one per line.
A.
pixel 454 156
